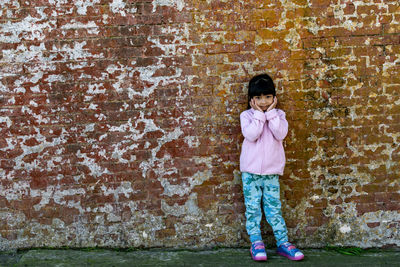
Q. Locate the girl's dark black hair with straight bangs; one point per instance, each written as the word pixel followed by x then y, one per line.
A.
pixel 261 84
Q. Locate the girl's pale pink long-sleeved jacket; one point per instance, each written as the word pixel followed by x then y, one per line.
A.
pixel 262 149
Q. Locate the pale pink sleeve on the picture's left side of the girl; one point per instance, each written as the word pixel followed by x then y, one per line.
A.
pixel 252 124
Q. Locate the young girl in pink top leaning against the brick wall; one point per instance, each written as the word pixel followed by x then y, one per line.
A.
pixel 262 160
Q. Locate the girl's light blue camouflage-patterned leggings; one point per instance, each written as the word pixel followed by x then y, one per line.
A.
pixel 265 187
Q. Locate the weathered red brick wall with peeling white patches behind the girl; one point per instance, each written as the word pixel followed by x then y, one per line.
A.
pixel 120 120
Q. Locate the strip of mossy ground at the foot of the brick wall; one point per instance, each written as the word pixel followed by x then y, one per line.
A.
pixel 212 258
